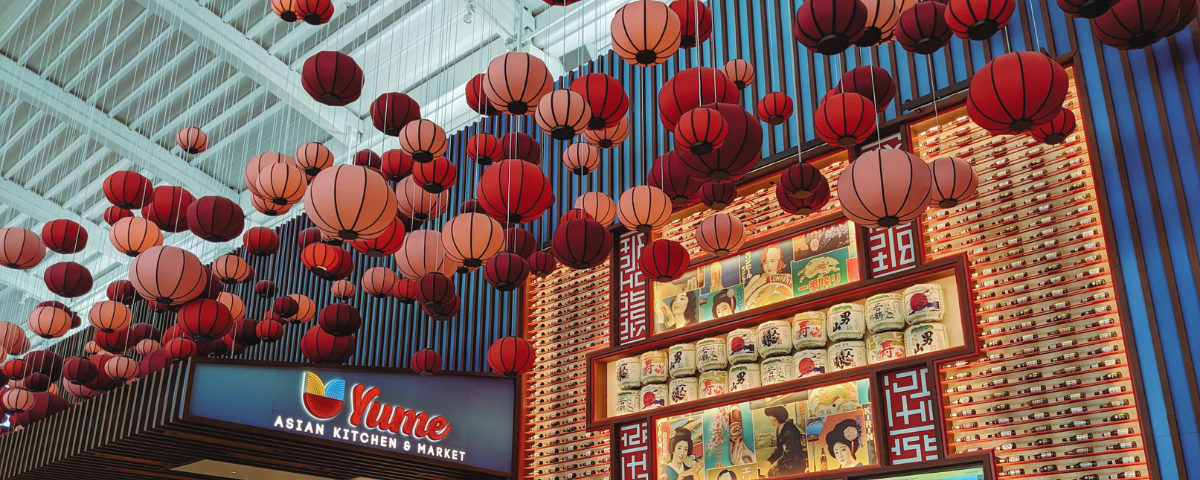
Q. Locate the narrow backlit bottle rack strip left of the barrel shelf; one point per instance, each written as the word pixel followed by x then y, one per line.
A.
pixel 568 316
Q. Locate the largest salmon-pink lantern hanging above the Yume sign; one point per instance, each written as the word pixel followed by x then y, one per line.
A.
pixel 351 203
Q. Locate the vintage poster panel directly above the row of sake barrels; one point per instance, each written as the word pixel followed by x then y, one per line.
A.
pixel 807 263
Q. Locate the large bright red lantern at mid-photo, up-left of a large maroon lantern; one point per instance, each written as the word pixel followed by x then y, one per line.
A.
pixel 514 191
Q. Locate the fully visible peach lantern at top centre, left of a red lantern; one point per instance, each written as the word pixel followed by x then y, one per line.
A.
pixel 646 33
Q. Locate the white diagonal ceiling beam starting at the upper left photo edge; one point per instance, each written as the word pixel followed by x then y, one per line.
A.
pixel 118 137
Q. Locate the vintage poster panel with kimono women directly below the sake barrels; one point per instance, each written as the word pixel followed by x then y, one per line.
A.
pixel 819 430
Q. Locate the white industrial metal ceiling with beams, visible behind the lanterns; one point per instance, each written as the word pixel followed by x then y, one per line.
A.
pixel 94 87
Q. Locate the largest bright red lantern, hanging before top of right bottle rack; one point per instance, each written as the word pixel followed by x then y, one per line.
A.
pixel 1016 92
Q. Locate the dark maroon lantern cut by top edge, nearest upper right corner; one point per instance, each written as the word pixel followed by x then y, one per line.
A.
pixel 1137 23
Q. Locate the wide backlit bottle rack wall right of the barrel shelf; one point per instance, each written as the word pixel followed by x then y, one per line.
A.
pixel 1052 393
